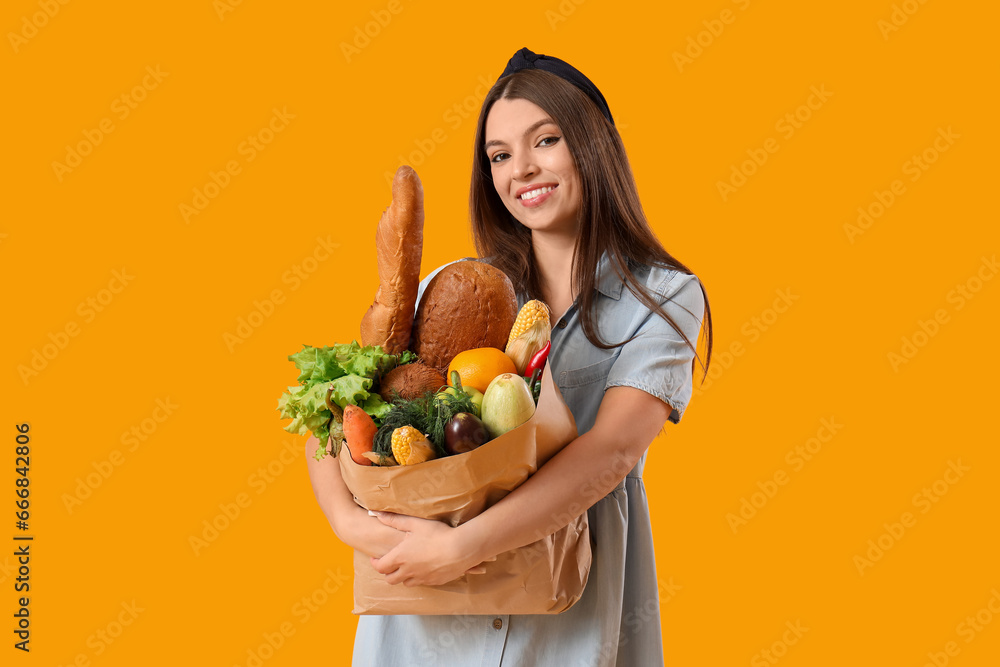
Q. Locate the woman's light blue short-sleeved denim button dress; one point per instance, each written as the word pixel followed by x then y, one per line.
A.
pixel 617 620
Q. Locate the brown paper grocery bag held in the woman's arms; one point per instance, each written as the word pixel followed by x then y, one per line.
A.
pixel 545 577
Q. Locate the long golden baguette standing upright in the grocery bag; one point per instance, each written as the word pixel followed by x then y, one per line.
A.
pixel 398 244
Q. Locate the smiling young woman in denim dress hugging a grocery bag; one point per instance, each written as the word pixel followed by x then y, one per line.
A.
pixel 554 205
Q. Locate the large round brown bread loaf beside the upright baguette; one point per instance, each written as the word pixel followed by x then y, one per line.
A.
pixel 467 305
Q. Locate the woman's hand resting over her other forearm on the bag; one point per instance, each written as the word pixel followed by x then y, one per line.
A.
pixel 431 553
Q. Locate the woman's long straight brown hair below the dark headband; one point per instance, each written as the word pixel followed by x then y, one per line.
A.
pixel 612 218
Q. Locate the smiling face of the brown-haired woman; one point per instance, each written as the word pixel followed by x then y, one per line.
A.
pixel 533 171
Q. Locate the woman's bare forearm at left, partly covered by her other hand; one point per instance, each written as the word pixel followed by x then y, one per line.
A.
pixel 350 522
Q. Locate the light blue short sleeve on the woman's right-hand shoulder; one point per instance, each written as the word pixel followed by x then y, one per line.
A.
pixel 657 360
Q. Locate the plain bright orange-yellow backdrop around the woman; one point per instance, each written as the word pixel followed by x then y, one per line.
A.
pixel 162 335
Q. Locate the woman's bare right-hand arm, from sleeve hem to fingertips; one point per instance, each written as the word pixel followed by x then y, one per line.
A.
pixel 583 472
